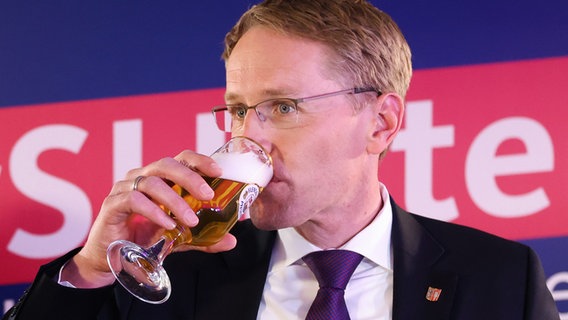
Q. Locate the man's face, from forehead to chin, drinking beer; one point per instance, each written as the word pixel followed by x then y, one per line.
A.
pixel 318 166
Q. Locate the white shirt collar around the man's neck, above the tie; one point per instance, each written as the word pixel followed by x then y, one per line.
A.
pixel 373 242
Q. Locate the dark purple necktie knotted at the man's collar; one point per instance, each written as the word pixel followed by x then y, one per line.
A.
pixel 333 269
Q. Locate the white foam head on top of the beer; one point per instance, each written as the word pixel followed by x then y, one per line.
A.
pixel 244 167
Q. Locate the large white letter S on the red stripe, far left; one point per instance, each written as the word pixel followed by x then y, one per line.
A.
pixel 52 191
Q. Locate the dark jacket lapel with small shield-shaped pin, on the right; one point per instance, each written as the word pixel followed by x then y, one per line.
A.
pixel 421 290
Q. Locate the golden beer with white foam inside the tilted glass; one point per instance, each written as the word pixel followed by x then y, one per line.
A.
pixel 243 179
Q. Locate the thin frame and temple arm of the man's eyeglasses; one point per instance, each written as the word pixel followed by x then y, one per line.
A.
pixel 222 108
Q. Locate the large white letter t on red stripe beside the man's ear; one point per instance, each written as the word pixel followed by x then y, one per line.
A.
pixel 418 140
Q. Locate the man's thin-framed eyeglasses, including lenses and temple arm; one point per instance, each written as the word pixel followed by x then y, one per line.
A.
pixel 280 113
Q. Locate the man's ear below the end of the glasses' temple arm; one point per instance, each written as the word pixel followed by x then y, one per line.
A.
pixel 389 113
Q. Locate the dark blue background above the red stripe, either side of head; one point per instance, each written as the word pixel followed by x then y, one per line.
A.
pixel 74 50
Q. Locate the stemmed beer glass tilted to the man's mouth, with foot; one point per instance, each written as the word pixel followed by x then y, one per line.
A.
pixel 247 169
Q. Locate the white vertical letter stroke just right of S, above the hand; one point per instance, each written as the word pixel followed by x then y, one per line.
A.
pixel 126 147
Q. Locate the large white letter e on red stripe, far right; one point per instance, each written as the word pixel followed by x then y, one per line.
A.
pixel 483 165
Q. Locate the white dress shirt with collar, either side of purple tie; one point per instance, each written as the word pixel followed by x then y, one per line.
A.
pixel 291 286
